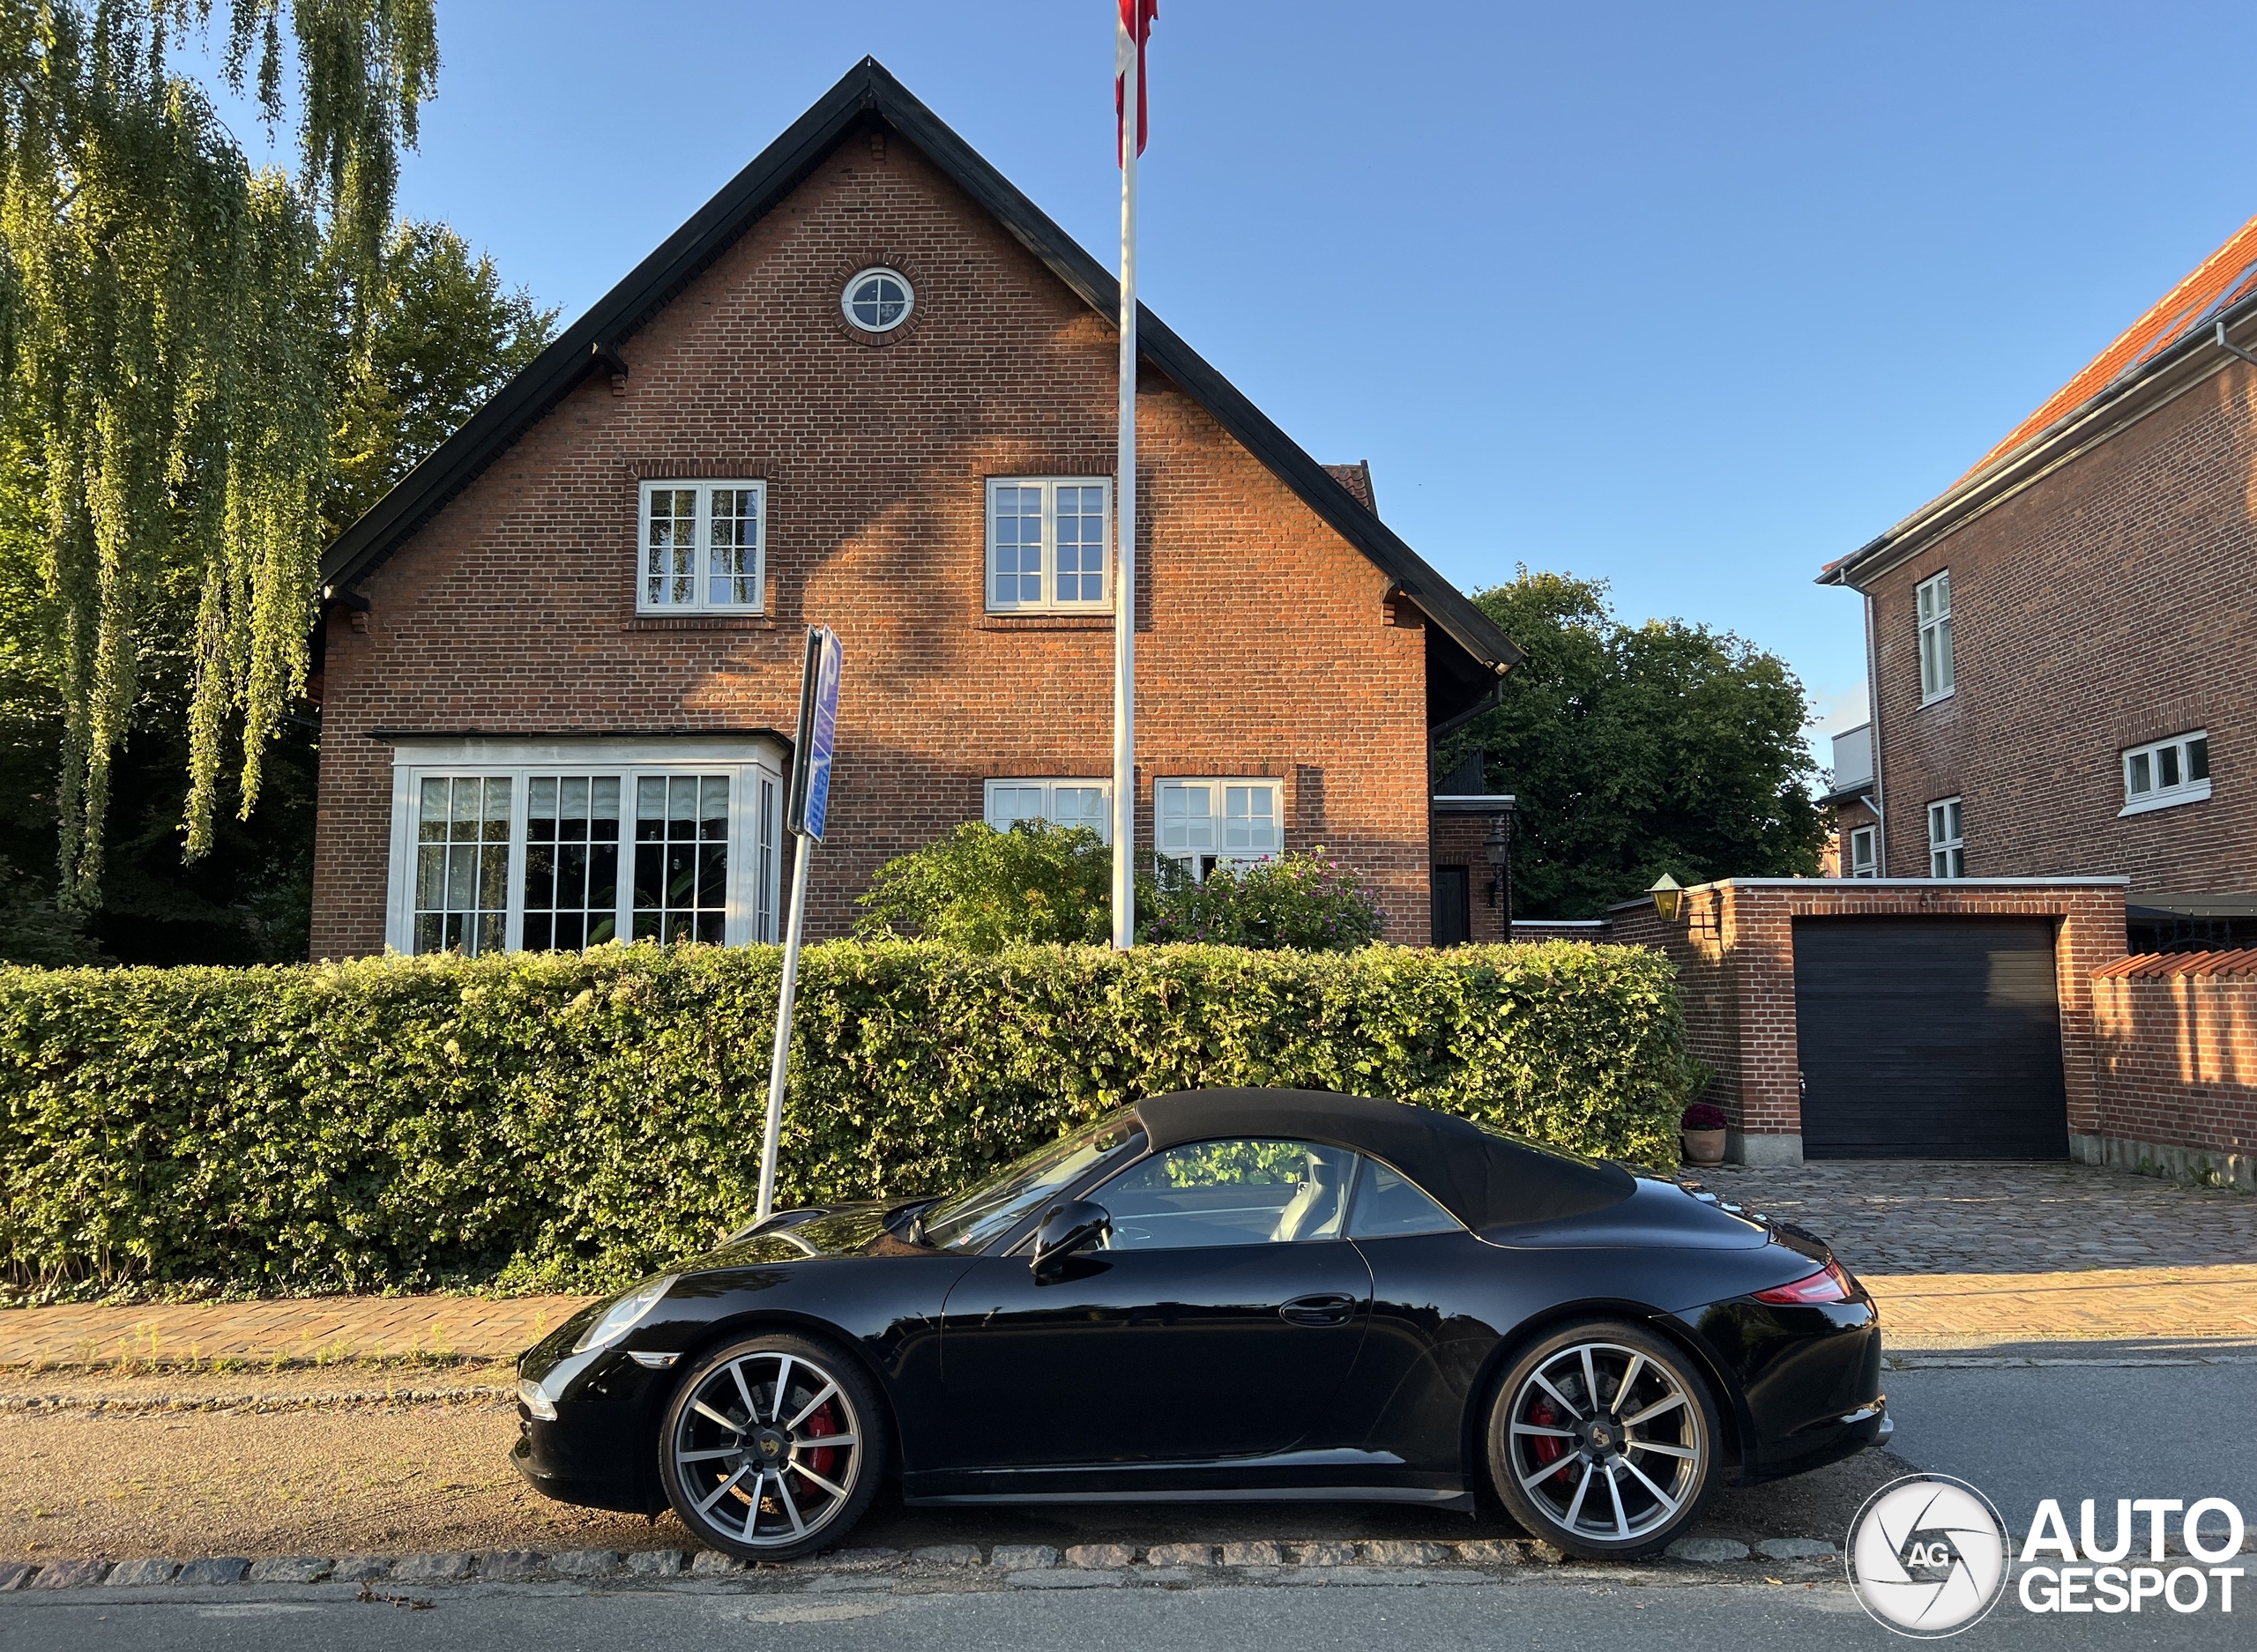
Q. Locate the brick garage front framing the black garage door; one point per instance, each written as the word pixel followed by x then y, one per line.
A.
pixel 1735 956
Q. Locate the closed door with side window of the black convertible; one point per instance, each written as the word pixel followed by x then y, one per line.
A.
pixel 1218 1324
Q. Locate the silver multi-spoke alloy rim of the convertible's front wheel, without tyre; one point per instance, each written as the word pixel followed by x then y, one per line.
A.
pixel 769 1450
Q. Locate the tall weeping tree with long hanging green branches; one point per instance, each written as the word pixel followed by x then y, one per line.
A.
pixel 170 322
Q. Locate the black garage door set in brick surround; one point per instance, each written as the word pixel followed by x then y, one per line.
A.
pixel 1929 1039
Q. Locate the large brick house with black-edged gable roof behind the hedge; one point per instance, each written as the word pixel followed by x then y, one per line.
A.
pixel 872 387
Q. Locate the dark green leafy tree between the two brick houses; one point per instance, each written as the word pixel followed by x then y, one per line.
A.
pixel 1640 750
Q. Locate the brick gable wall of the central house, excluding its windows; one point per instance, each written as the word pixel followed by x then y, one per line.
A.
pixel 1265 640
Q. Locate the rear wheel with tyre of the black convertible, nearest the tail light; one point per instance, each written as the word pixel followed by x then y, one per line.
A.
pixel 1604 1441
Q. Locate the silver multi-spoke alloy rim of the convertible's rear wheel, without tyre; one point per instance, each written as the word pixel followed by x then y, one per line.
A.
pixel 1606 1443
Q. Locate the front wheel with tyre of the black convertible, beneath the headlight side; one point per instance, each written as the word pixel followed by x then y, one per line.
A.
pixel 773 1448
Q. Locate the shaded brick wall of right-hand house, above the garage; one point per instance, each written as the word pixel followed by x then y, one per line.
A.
pixel 2105 606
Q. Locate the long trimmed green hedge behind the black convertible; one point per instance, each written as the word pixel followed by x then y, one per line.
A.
pixel 572 1123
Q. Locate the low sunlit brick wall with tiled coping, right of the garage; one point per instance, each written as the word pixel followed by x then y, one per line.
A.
pixel 2179 1051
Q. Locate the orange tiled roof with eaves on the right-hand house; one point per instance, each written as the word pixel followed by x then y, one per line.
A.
pixel 2172 346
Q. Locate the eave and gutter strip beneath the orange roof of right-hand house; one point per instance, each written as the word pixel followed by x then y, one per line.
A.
pixel 2082 428
